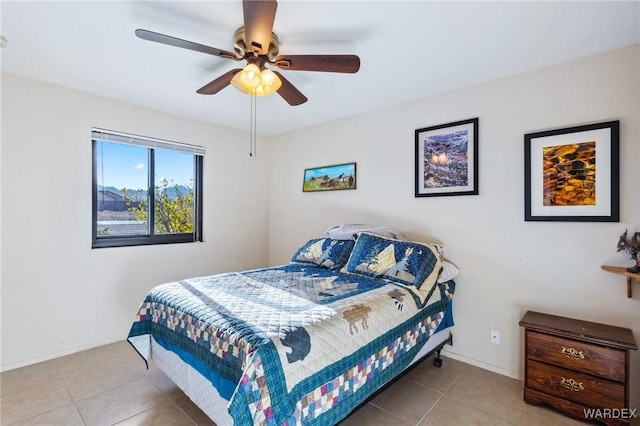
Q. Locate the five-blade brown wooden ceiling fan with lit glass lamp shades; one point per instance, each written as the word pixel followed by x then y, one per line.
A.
pixel 258 45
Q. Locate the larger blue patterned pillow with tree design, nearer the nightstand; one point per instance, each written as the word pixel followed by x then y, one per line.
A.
pixel 404 262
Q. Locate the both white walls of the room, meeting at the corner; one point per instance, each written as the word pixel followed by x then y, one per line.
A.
pixel 60 296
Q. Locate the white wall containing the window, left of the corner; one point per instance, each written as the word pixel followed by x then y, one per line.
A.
pixel 60 296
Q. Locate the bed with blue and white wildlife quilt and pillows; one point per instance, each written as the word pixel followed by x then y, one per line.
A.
pixel 302 343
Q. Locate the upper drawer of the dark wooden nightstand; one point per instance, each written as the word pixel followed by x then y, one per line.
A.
pixel 579 356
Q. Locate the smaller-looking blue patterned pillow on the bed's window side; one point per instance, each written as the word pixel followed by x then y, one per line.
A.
pixel 325 252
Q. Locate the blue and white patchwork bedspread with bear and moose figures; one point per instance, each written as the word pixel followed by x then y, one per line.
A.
pixel 292 344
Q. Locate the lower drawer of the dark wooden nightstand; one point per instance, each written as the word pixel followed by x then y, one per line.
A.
pixel 573 386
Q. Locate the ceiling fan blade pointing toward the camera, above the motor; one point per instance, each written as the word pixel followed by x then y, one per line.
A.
pixel 259 16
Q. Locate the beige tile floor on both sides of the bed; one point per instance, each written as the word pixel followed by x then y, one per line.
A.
pixel 71 391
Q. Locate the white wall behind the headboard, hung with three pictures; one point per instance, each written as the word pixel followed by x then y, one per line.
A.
pixel 508 266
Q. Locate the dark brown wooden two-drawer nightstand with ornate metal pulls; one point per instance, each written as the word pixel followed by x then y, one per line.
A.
pixel 575 366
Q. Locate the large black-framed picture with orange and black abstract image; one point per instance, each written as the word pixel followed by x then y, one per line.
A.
pixel 572 174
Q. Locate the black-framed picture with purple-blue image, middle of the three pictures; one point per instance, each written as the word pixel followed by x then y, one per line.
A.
pixel 447 159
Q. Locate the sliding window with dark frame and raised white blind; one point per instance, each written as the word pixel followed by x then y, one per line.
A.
pixel 145 191
